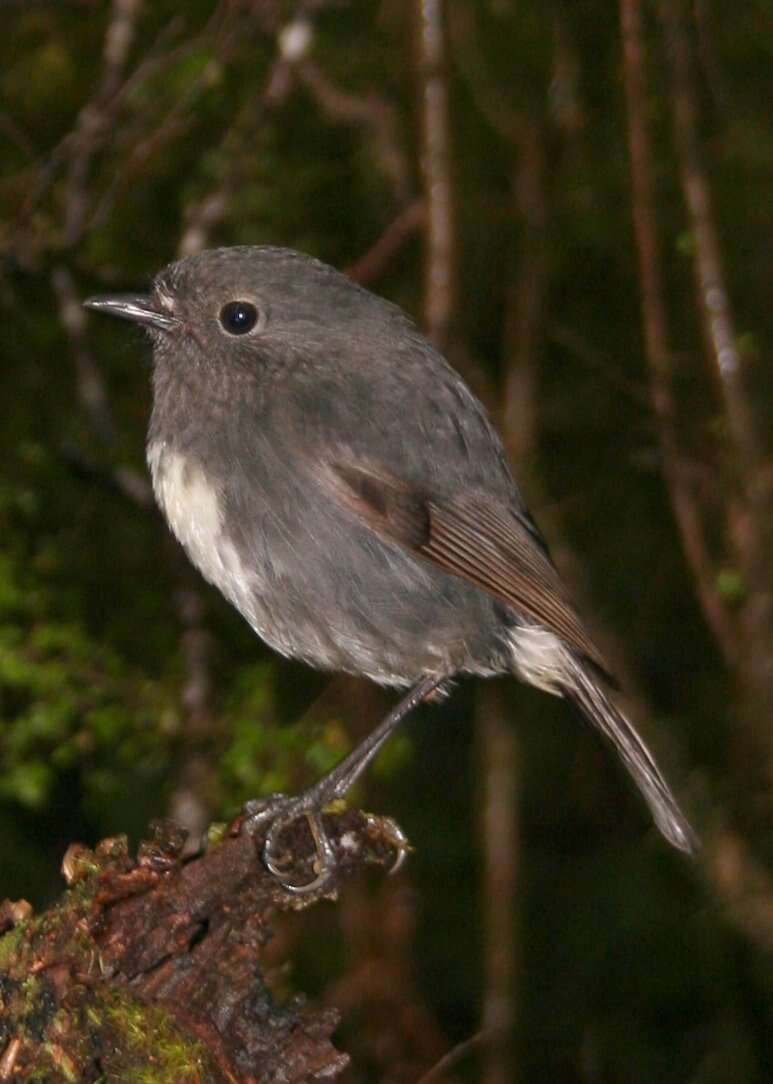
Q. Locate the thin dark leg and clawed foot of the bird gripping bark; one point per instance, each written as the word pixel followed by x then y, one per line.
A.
pixel 280 811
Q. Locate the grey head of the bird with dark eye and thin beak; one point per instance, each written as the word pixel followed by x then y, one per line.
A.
pixel 253 309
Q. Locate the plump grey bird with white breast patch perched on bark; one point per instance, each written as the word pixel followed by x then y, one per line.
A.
pixel 328 470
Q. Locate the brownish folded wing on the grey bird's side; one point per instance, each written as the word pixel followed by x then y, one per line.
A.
pixel 473 536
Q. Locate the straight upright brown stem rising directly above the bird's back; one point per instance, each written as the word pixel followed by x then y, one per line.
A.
pixel 440 285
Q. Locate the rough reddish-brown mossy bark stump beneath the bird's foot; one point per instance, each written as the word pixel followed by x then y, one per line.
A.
pixel 151 967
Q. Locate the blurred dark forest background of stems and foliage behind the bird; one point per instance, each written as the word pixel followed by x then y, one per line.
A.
pixel 574 200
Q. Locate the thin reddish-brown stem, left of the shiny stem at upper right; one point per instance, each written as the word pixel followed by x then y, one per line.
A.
pixel 685 505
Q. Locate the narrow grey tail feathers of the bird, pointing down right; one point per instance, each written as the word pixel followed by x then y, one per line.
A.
pixel 581 687
